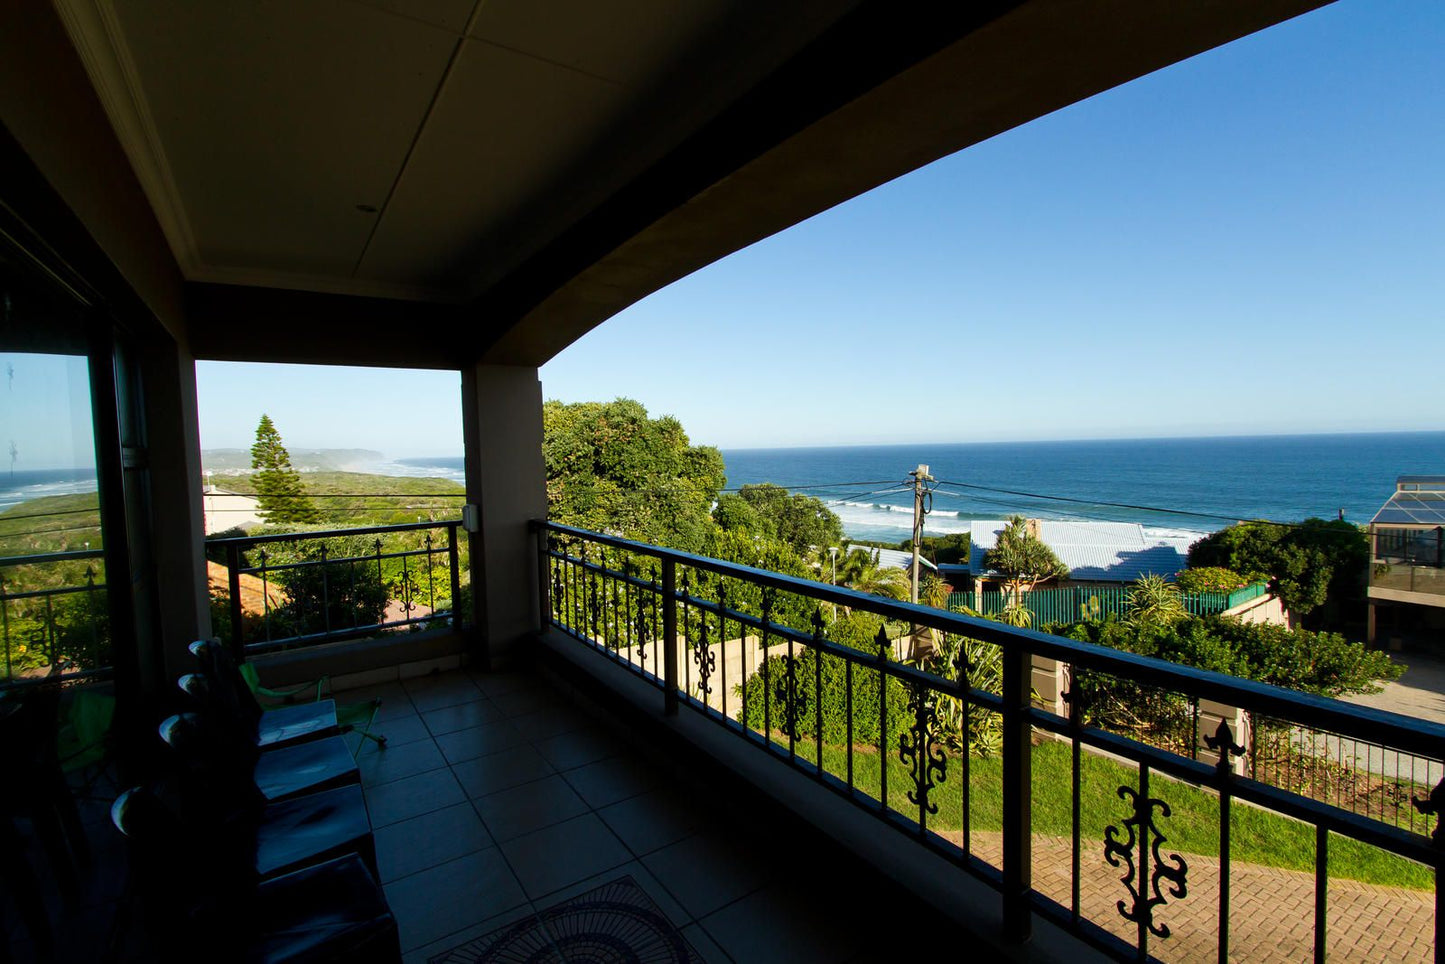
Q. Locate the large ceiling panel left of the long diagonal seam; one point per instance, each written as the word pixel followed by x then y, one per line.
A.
pixel 278 119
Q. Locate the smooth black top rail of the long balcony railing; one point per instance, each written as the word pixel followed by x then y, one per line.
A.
pixel 1388 729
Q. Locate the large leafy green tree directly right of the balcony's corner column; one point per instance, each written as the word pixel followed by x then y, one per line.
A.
pixel 612 468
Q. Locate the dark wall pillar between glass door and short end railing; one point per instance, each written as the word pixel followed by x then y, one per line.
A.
pixel 178 522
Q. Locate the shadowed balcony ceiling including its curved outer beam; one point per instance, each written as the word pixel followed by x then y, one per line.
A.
pixel 527 170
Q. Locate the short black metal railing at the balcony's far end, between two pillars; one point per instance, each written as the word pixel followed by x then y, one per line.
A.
pixel 306 589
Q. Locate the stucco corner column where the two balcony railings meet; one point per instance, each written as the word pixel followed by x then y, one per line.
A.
pixel 506 481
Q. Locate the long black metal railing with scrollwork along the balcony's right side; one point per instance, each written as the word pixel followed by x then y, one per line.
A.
pixel 1064 819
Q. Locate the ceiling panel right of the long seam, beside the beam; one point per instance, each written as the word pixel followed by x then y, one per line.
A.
pixel 504 132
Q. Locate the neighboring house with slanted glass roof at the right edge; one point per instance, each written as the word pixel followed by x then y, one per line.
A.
pixel 1408 557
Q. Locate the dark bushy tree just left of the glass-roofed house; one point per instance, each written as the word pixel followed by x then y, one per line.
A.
pixel 1307 564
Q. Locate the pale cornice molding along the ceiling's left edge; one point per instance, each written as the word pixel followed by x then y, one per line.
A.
pixel 95 31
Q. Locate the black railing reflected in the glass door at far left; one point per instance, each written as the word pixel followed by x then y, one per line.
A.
pixel 54 616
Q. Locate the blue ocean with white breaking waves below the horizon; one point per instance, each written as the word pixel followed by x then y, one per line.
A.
pixel 1207 482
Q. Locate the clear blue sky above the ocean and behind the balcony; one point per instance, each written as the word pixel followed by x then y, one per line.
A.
pixel 1251 242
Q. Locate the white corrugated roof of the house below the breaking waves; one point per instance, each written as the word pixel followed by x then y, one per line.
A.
pixel 1095 551
